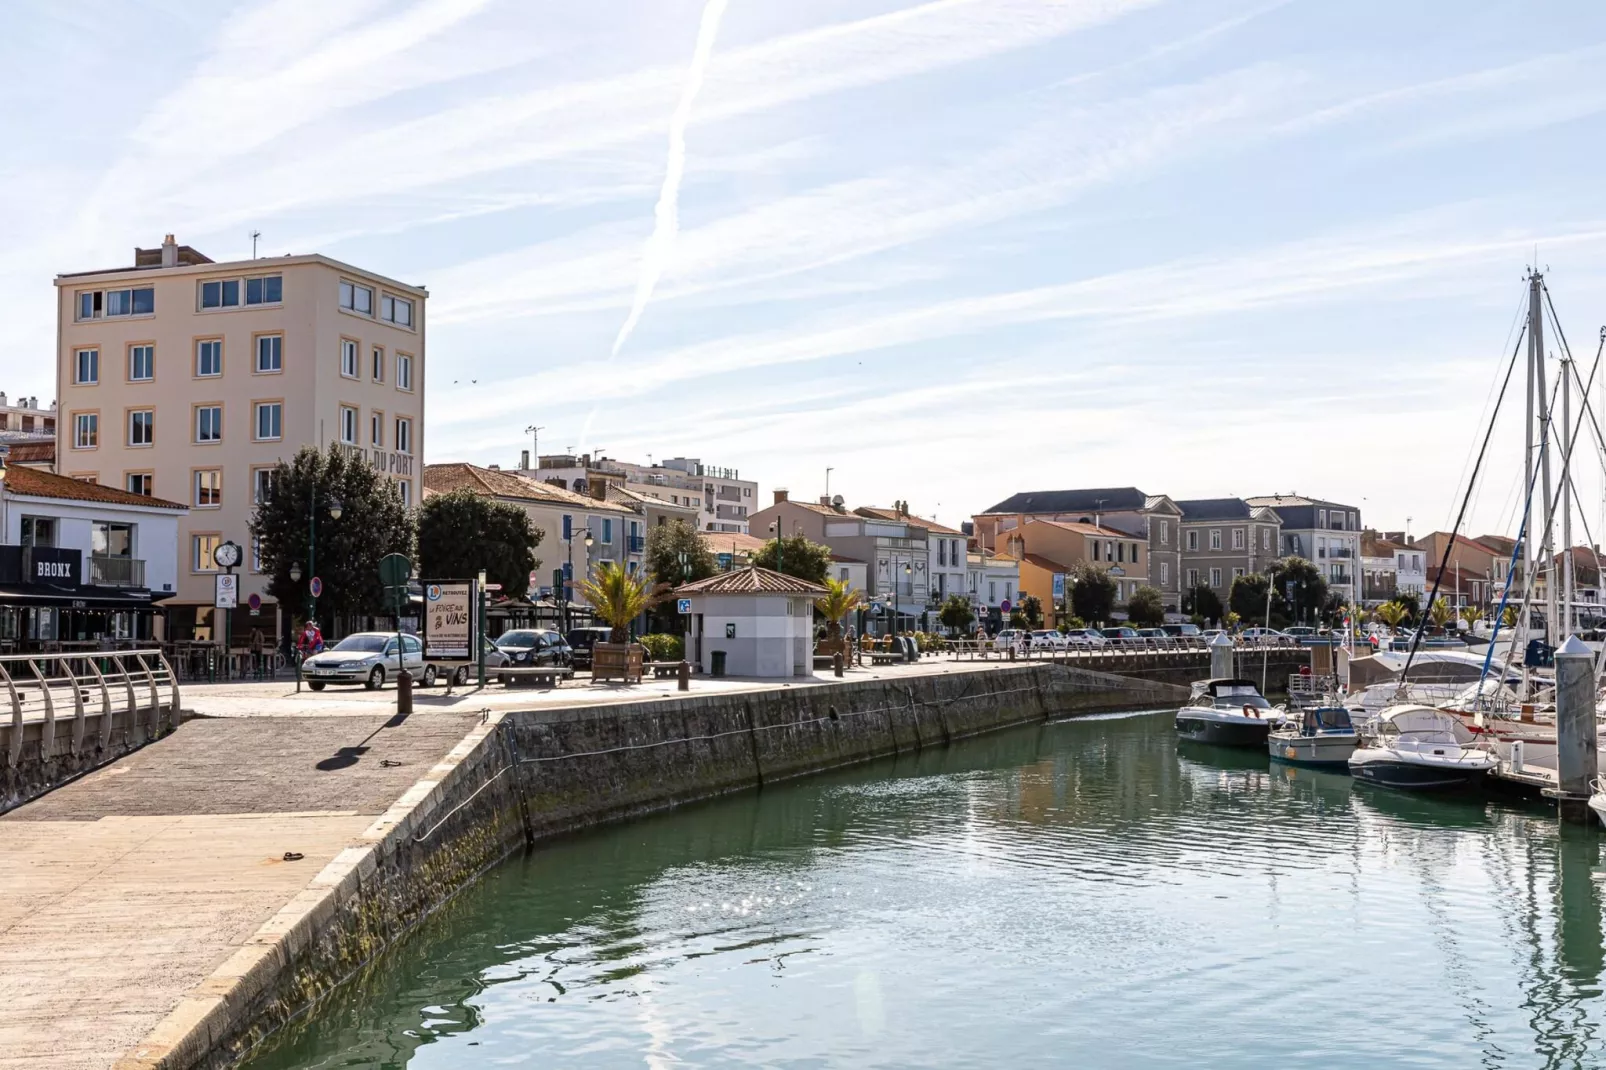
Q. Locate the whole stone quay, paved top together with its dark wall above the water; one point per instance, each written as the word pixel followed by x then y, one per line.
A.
pixel 176 907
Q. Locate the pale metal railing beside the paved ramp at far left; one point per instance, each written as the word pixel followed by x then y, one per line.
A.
pixel 46 688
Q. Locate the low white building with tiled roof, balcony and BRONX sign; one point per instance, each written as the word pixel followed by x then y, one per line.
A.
pixel 81 563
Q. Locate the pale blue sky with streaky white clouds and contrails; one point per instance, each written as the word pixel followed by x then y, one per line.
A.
pixel 948 250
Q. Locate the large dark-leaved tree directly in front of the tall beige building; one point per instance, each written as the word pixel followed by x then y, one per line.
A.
pixel 373 523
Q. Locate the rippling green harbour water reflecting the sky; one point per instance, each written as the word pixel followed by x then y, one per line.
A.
pixel 1080 894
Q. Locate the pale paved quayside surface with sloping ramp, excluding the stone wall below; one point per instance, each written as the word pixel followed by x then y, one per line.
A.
pixel 144 897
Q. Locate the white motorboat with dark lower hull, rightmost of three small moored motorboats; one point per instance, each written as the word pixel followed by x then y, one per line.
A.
pixel 1422 749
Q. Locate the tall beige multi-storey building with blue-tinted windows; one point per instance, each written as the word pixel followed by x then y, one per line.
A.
pixel 190 382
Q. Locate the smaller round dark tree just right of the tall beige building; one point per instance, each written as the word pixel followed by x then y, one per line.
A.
pixel 462 533
